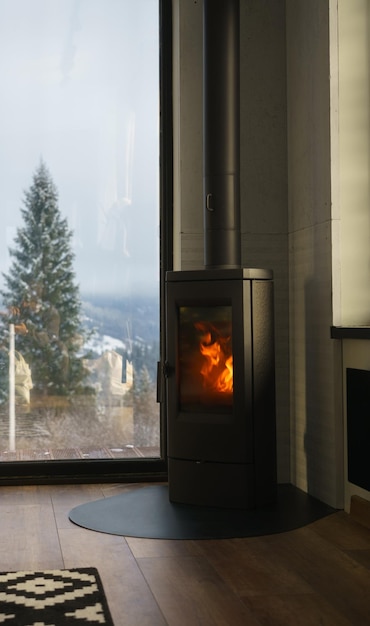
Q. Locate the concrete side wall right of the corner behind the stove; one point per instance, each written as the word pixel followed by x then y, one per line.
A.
pixel 315 365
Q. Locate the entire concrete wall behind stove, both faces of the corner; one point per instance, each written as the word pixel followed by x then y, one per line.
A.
pixel 286 199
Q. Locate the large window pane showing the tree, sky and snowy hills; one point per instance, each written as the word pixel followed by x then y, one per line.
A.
pixel 79 259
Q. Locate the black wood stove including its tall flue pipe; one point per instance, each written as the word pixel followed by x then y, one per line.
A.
pixel 219 321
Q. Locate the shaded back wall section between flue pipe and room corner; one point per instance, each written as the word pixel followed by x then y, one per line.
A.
pixel 264 189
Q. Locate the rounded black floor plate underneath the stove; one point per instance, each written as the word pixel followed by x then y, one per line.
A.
pixel 147 512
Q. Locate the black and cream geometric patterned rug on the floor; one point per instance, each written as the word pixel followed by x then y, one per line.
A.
pixel 53 598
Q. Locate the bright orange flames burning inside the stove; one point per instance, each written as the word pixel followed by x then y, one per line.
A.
pixel 217 369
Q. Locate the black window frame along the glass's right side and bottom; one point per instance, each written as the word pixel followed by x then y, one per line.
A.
pixel 125 470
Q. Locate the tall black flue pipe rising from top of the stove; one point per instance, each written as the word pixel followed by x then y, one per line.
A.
pixel 221 138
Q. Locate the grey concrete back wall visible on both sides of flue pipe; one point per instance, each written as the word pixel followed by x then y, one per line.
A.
pixel 263 163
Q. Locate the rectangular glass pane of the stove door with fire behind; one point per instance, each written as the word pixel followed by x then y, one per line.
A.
pixel 205 358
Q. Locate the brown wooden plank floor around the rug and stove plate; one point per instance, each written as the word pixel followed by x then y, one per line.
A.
pixel 316 575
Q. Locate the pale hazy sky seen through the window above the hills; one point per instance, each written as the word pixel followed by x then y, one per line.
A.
pixel 80 89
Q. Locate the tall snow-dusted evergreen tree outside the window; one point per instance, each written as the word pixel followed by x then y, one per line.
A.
pixel 41 295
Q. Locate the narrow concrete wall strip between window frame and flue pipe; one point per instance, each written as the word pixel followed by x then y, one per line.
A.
pixel 188 144
